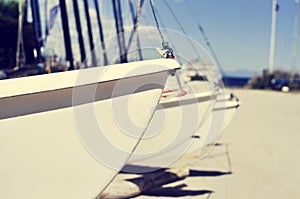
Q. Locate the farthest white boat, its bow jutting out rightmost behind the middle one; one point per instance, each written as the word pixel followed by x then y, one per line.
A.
pixel 223 111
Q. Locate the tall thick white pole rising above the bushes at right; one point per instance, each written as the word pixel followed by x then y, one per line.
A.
pixel 273 31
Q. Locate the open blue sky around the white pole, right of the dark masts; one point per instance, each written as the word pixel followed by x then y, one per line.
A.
pixel 239 30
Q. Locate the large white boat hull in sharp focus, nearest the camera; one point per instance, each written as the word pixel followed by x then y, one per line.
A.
pixel 67 135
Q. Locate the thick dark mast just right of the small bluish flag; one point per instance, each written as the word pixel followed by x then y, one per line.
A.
pixel 66 32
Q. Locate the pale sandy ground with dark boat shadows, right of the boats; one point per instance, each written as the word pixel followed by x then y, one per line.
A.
pixel 262 143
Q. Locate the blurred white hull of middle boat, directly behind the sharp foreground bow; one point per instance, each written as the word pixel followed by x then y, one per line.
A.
pixel 172 128
